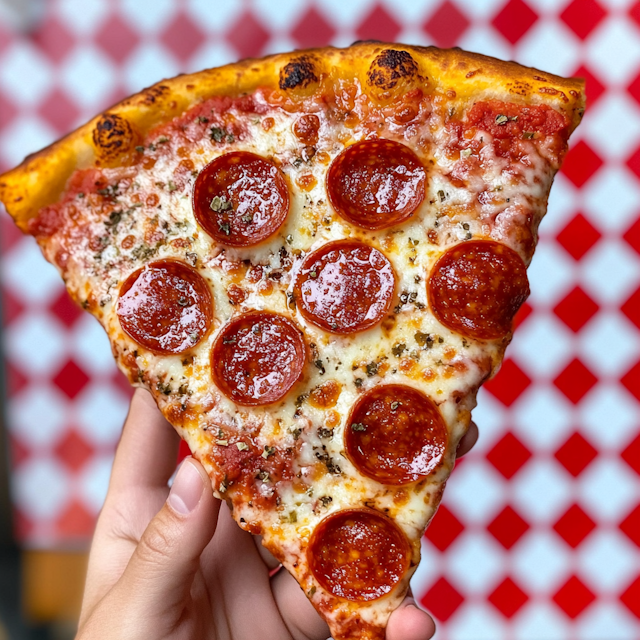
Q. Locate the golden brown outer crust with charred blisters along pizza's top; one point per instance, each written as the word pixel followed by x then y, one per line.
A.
pixel 384 70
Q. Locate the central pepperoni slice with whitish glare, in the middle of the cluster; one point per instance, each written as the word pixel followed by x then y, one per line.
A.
pixel 344 287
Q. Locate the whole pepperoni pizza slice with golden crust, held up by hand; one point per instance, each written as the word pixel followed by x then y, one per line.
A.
pixel 312 261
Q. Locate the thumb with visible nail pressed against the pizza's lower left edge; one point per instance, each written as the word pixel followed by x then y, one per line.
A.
pixel 162 568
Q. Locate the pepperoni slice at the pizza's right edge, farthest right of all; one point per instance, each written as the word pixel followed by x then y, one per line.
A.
pixel 477 287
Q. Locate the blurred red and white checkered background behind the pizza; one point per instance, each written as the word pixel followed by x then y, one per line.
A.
pixel 538 537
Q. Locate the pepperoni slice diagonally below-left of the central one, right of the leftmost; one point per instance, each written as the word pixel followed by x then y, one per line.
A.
pixel 257 358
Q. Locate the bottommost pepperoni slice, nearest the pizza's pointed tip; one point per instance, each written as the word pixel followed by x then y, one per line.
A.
pixel 358 554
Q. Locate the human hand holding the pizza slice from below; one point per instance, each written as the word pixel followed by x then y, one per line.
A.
pixel 172 564
